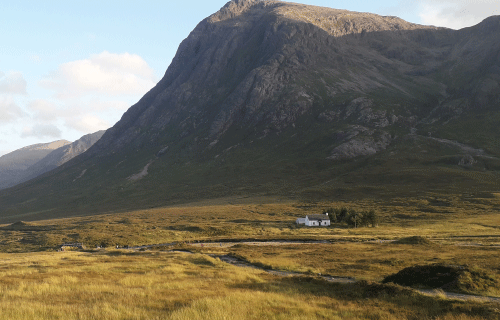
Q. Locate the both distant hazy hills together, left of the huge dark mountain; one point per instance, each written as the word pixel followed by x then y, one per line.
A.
pixel 29 162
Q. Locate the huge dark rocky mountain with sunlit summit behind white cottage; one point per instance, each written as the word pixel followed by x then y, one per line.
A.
pixel 283 99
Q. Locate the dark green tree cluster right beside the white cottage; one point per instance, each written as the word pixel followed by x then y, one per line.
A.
pixel 352 217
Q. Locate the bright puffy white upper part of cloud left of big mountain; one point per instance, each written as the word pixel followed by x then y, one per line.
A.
pixel 104 73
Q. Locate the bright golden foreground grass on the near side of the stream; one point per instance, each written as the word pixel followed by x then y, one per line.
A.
pixel 173 285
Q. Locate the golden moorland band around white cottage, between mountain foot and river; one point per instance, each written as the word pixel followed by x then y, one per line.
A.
pixel 451 219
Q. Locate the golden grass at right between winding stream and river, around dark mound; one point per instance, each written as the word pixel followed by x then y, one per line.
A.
pixel 374 261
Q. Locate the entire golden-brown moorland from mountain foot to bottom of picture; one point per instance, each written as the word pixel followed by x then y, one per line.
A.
pixel 38 282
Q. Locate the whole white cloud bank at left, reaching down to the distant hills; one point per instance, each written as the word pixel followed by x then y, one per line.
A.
pixel 88 95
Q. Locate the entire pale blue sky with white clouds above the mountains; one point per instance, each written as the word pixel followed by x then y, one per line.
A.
pixel 69 68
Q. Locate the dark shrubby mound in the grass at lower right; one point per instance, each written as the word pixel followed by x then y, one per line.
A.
pixel 447 277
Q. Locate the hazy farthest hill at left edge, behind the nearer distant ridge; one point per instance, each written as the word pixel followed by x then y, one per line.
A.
pixel 14 164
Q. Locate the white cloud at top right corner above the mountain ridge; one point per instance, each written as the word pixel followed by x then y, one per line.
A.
pixel 456 14
